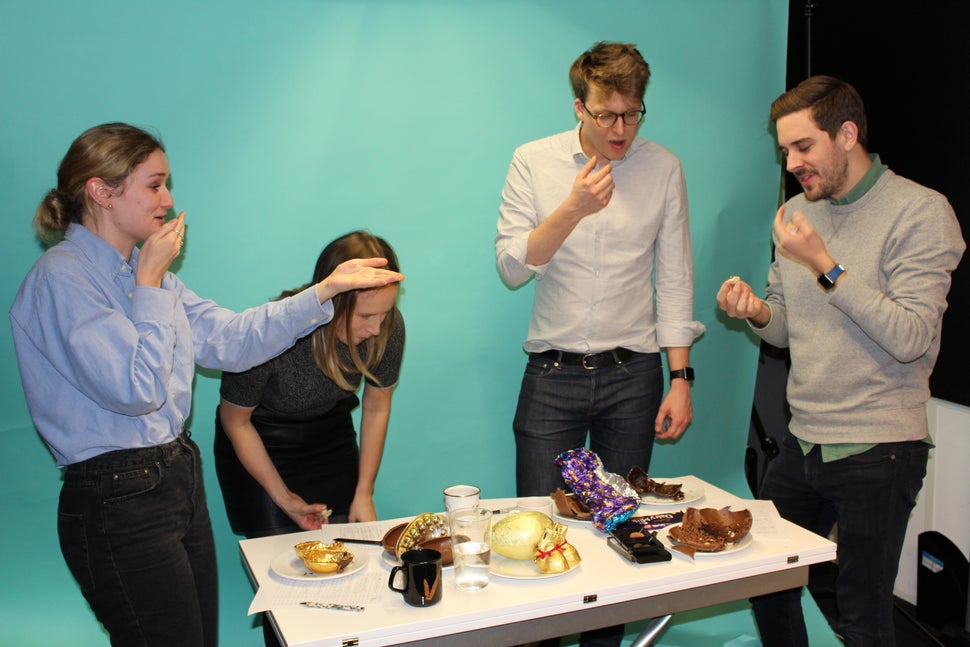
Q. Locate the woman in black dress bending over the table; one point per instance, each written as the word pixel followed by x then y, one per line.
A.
pixel 286 449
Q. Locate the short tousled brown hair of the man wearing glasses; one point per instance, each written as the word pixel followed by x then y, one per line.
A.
pixel 616 67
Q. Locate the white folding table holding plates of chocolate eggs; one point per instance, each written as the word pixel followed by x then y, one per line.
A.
pixel 604 590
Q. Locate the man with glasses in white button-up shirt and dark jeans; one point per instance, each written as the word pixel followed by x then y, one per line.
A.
pixel 599 217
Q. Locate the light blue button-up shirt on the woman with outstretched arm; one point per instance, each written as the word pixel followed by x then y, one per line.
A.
pixel 108 365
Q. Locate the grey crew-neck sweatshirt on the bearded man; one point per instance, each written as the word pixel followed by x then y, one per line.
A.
pixel 862 354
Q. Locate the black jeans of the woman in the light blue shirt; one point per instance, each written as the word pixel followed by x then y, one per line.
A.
pixel 135 532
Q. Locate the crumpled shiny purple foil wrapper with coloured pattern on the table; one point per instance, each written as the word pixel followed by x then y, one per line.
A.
pixel 608 495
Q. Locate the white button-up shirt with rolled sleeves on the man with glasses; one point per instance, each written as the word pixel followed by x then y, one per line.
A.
pixel 618 267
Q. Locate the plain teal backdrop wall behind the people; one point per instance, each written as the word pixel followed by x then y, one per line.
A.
pixel 290 122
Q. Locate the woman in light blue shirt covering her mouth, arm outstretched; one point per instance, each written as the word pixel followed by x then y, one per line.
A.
pixel 107 341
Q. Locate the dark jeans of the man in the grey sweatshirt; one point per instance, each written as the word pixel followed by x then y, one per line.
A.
pixel 870 496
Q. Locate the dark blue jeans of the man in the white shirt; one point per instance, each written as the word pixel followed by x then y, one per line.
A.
pixel 559 405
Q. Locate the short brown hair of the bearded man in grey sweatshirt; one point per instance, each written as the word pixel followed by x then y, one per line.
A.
pixel 832 103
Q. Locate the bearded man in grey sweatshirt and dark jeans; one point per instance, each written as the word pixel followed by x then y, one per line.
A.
pixel 856 292
